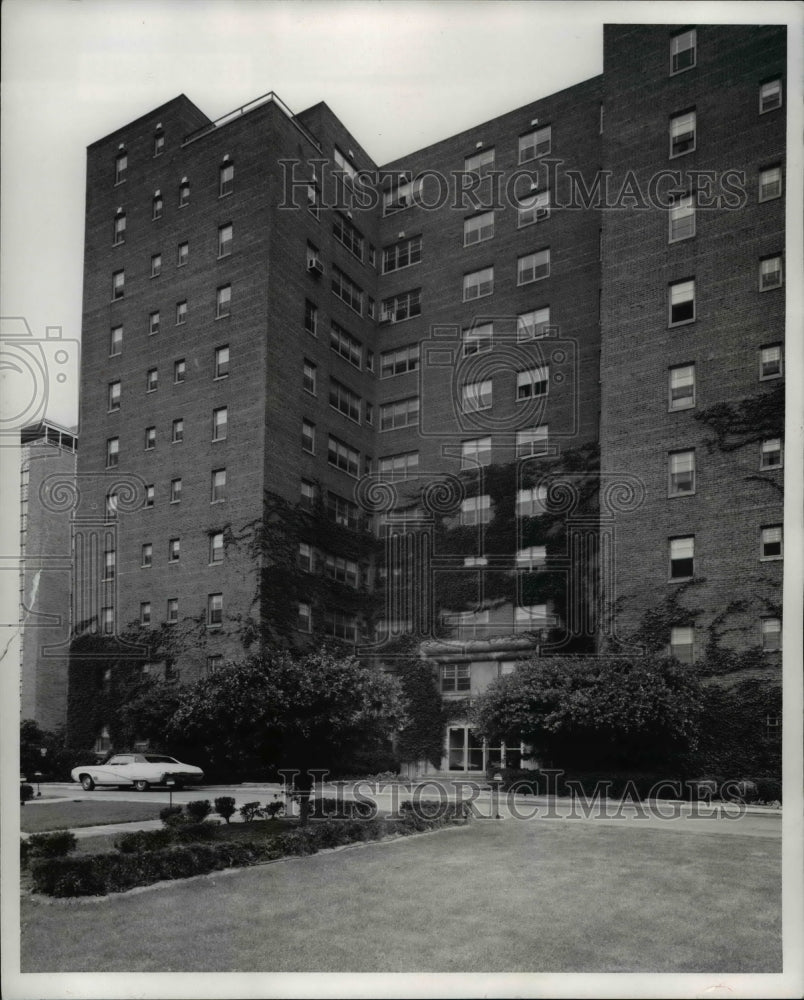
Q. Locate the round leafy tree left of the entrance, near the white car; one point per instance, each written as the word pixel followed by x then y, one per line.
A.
pixel 282 711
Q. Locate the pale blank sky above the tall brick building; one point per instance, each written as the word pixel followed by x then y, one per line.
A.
pixel 400 74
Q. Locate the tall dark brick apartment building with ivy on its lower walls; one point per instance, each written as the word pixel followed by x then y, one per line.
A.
pixel 279 334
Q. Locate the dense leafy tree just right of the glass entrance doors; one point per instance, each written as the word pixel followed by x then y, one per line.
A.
pixel 582 711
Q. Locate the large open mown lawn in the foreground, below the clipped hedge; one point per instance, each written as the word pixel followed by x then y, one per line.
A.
pixel 539 896
